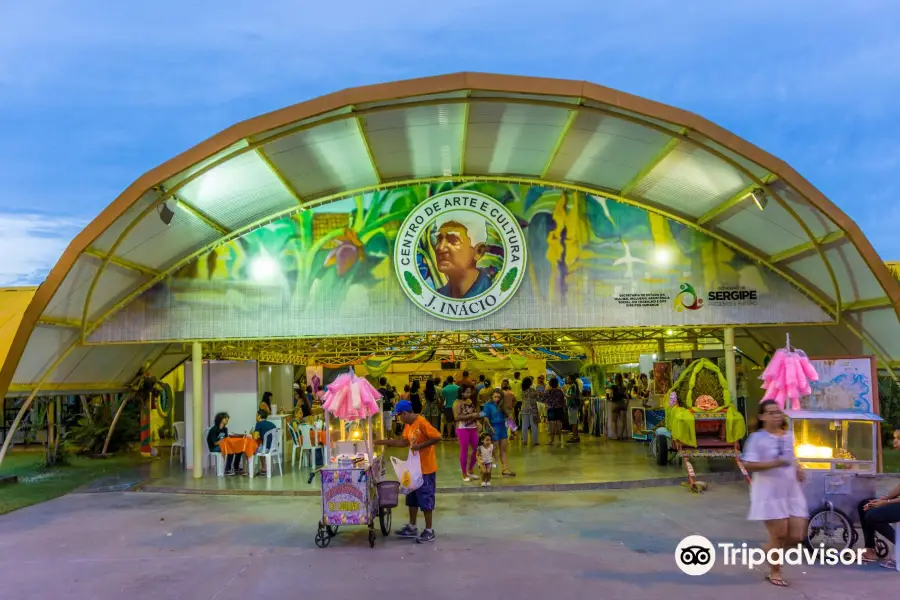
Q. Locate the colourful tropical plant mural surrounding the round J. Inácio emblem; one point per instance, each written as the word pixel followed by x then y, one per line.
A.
pixel 592 262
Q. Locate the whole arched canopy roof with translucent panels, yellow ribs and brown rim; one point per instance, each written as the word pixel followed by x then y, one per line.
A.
pixel 463 126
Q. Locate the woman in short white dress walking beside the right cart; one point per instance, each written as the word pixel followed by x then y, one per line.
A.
pixel 776 497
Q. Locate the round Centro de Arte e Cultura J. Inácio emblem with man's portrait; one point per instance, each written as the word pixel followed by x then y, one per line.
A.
pixel 460 255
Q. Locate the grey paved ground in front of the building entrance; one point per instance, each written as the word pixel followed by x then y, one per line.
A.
pixel 610 544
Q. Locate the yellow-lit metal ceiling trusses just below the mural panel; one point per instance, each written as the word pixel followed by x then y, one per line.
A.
pixel 606 346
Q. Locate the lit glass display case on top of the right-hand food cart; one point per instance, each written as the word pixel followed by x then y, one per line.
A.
pixel 835 440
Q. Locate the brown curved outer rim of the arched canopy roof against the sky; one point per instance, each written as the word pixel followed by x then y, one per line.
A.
pixel 419 87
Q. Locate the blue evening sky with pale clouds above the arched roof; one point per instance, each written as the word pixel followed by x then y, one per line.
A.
pixel 93 94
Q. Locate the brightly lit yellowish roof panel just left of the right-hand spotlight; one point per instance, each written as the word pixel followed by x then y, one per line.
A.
pixel 690 181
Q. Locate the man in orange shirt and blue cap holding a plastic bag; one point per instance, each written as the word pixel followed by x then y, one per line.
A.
pixel 420 436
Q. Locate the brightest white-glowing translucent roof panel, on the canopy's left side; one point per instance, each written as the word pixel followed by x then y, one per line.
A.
pixel 239 192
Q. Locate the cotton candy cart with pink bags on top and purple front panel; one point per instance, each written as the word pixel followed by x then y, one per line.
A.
pixel 354 490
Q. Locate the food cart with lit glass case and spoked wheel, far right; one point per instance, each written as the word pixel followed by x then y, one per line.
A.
pixel 838 451
